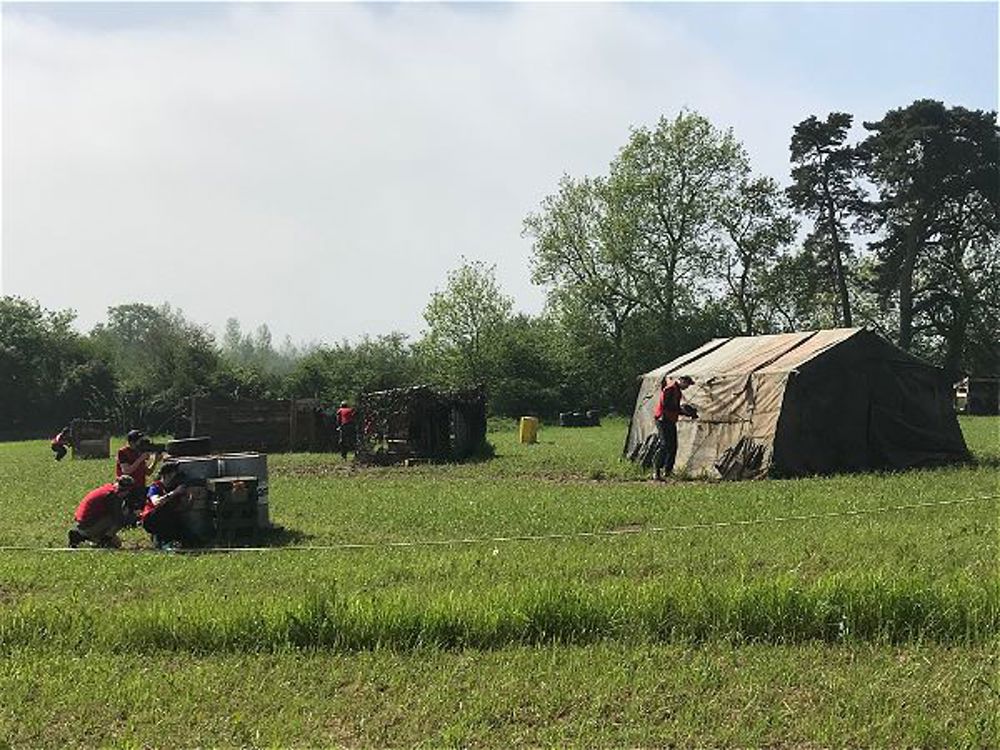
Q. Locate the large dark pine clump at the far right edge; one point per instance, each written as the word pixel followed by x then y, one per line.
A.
pixel 936 170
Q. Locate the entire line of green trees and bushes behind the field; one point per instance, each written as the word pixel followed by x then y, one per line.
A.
pixel 893 226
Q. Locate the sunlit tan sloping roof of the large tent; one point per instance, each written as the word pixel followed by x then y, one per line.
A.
pixel 781 352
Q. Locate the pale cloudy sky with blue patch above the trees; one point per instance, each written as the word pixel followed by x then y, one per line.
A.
pixel 320 167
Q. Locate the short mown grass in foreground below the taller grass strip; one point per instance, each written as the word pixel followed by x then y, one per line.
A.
pixel 601 695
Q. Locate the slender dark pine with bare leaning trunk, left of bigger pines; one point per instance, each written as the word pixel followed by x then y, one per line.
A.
pixel 825 187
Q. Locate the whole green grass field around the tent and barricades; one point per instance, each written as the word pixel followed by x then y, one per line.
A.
pixel 849 610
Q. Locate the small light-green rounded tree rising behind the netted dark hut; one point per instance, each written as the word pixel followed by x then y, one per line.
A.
pixel 465 322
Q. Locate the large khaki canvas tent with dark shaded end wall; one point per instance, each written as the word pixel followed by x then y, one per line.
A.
pixel 794 404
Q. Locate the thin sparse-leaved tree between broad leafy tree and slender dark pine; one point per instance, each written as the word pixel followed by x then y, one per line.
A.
pixel 755 226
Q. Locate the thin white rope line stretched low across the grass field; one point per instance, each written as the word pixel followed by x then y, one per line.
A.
pixel 467 541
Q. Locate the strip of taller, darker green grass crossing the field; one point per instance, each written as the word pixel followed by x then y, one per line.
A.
pixel 835 608
